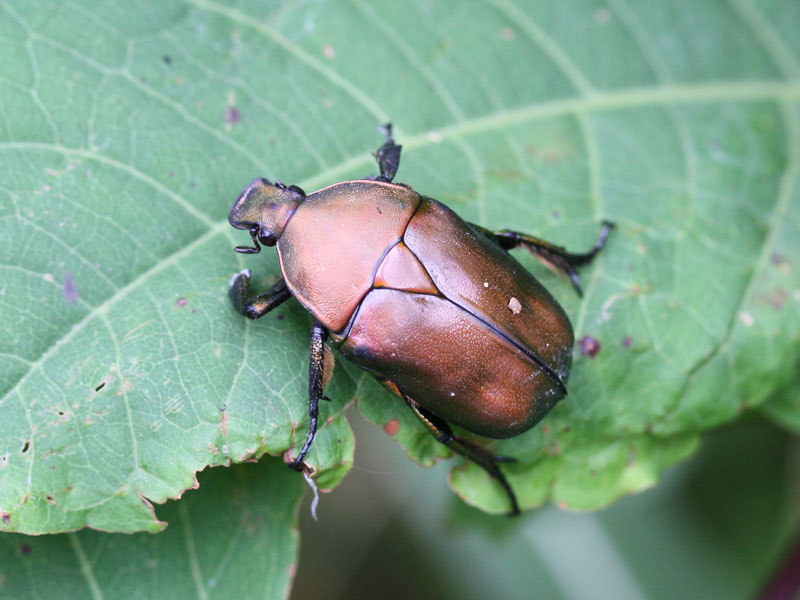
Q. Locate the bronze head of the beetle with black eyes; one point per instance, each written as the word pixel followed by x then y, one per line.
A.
pixel 264 208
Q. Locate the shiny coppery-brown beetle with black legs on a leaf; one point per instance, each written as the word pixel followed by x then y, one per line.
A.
pixel 433 307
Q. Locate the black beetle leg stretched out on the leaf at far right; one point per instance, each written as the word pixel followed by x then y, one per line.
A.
pixel 553 256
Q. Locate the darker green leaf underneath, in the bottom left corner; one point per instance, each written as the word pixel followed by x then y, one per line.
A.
pixel 234 538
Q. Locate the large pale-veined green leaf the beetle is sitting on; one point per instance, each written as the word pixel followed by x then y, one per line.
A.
pixel 127 131
